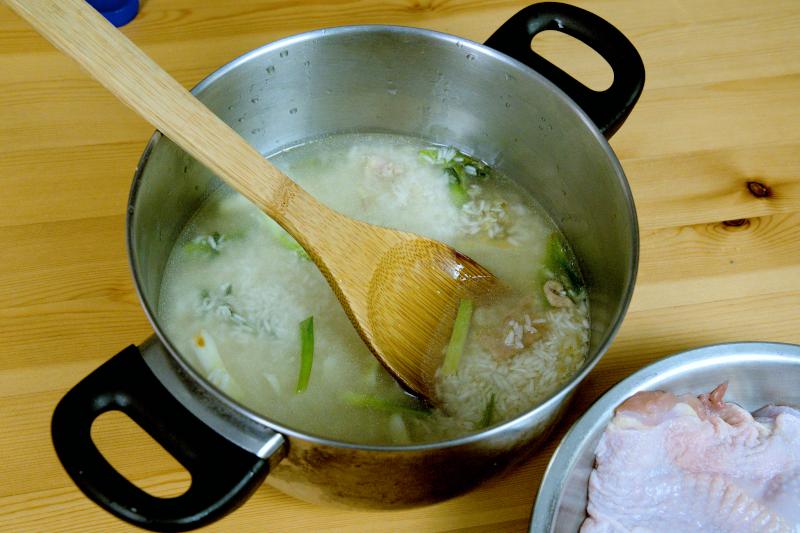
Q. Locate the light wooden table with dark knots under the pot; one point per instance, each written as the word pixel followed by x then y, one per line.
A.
pixel 712 152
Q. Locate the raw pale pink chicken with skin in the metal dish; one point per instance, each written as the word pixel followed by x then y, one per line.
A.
pixel 696 464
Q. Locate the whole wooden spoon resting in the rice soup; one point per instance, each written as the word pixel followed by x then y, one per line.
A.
pixel 400 290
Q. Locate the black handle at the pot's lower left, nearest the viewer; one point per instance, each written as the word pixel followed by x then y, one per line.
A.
pixel 223 474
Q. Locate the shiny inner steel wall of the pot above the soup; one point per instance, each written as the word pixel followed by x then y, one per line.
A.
pixel 409 82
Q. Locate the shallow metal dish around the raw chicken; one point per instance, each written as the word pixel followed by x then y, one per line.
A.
pixel 758 373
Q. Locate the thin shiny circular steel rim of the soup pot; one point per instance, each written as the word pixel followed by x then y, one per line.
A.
pixel 468 45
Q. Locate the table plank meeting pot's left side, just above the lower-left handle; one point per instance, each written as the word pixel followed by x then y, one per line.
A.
pixel 66 292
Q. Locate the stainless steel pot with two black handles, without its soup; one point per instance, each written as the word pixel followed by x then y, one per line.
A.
pixel 368 79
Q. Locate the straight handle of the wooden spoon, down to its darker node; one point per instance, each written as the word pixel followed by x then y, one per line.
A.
pixel 80 32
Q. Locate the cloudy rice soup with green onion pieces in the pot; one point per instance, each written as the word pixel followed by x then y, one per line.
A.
pixel 239 293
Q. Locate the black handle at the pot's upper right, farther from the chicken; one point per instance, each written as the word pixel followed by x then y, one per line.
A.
pixel 608 109
